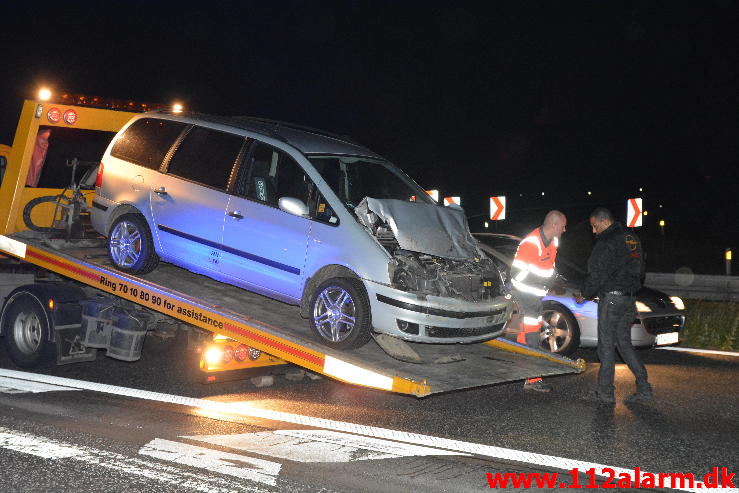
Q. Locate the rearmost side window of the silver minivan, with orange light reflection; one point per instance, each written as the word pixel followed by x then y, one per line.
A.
pixel 147 141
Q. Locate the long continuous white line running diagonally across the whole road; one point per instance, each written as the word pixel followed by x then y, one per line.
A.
pixel 242 409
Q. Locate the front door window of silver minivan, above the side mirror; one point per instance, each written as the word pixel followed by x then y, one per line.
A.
pixel 270 174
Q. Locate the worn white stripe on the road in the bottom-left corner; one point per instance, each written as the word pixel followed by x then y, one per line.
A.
pixel 47 448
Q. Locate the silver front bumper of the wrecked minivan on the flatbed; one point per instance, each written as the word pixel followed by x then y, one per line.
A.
pixel 435 319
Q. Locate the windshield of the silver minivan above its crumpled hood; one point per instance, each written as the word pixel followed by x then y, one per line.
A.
pixel 354 178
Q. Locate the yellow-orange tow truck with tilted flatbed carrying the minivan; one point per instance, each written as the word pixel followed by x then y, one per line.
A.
pixel 62 301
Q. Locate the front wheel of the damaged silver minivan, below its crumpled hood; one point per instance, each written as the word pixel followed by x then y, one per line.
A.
pixel 340 313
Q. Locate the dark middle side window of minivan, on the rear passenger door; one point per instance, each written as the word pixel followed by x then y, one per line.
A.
pixel 206 156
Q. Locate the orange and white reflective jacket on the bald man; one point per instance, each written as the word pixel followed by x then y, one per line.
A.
pixel 533 264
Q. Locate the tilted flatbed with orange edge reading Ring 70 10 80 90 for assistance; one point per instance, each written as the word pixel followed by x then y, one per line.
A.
pixel 277 328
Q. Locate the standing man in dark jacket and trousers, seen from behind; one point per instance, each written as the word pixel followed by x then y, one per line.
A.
pixel 614 276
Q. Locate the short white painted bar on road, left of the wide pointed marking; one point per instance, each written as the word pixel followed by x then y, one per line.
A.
pixel 240 466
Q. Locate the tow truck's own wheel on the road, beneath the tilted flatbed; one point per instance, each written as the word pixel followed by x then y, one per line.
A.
pixel 26 331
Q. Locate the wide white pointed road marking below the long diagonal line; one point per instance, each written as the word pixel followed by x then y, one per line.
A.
pixel 318 446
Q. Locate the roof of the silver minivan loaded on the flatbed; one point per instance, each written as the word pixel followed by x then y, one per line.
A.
pixel 307 140
